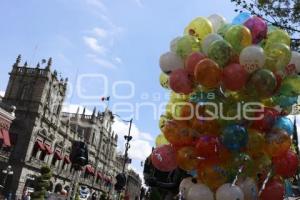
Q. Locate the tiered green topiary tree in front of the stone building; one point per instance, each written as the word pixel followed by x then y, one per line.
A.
pixel 42 183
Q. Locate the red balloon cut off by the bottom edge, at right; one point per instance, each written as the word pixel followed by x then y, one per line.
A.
pixel 274 190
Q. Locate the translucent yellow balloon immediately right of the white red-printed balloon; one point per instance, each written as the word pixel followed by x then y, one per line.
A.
pixel 278 56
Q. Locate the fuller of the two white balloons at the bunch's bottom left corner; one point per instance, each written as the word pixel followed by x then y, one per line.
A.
pixel 199 192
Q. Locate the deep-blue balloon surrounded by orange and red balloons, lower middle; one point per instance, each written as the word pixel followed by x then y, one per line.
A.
pixel 234 137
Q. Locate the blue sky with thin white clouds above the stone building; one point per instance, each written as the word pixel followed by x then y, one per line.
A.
pixel 119 39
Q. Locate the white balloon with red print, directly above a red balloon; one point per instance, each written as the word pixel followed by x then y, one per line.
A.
pixel 252 58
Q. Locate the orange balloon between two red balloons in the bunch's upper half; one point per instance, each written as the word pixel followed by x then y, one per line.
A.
pixel 208 73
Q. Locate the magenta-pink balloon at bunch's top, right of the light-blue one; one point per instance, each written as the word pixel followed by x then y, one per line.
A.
pixel 258 28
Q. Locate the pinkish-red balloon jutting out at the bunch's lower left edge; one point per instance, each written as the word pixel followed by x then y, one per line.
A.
pixel 164 158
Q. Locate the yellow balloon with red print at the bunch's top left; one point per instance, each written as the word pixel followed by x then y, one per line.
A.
pixel 199 27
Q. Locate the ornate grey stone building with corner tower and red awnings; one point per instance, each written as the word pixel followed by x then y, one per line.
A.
pixel 42 135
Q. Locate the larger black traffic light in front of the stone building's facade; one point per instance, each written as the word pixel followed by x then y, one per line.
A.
pixel 79 154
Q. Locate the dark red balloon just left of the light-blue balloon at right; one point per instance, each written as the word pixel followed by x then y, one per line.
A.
pixel 266 119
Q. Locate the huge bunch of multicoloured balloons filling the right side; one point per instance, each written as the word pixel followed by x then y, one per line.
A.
pixel 232 87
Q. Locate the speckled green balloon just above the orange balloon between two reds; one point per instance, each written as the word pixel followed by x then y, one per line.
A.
pixel 220 51
